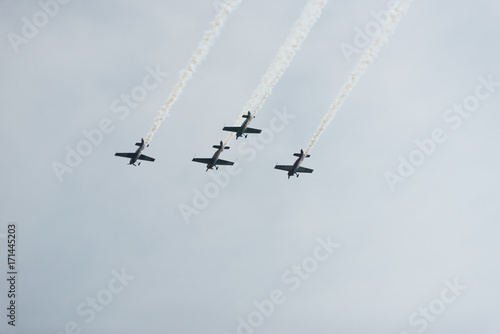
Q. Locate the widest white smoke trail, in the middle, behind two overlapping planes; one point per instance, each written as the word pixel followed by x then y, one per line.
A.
pixel 282 60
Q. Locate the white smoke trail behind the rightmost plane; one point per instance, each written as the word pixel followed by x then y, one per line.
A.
pixel 366 59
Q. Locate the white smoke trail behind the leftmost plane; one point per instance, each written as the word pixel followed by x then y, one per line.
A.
pixel 198 56
